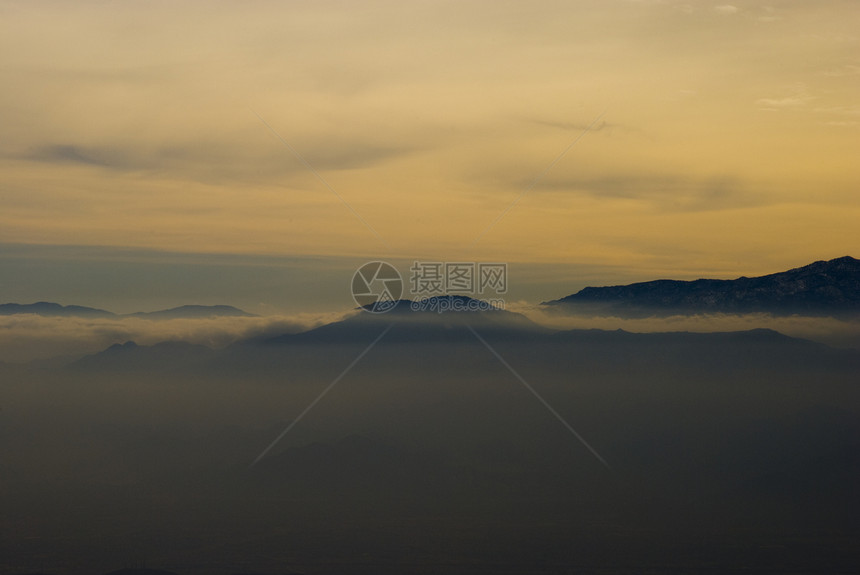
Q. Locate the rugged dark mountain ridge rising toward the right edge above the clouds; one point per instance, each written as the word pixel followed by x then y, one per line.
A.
pixel 824 288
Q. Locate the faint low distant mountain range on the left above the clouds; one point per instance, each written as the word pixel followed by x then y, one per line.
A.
pixel 49 309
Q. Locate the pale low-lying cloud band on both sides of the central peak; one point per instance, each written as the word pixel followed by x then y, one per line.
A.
pixel 30 337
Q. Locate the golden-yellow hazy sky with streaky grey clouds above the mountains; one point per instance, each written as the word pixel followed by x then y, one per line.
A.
pixel 256 153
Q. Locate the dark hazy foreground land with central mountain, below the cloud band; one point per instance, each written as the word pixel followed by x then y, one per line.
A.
pixel 726 453
